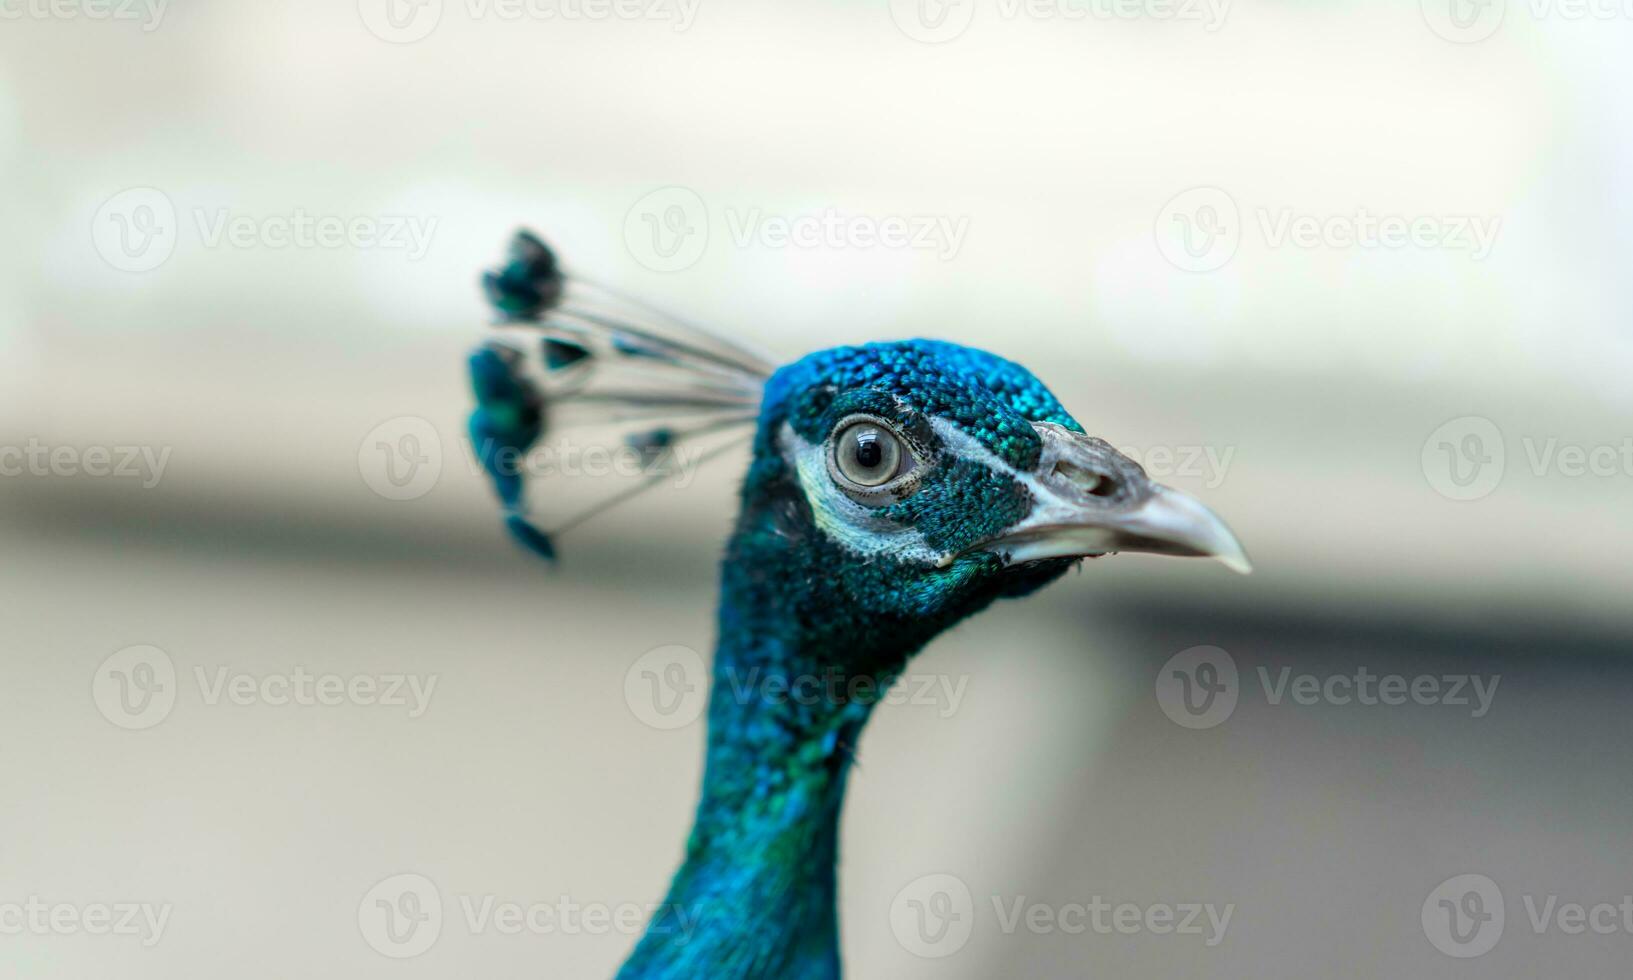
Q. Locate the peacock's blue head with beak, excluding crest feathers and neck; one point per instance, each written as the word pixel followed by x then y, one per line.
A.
pixel 919 481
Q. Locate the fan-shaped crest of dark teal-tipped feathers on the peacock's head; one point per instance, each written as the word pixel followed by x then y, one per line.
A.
pixel 654 391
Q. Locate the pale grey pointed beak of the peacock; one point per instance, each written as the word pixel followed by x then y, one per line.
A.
pixel 1093 501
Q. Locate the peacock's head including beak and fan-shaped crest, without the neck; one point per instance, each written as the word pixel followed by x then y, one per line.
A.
pixel 894 488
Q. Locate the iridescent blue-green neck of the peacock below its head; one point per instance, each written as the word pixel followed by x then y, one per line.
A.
pixel 757 894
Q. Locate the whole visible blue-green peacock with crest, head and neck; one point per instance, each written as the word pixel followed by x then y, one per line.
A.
pixel 892 491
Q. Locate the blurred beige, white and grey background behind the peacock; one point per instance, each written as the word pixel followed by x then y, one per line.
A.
pixel 1351 274
